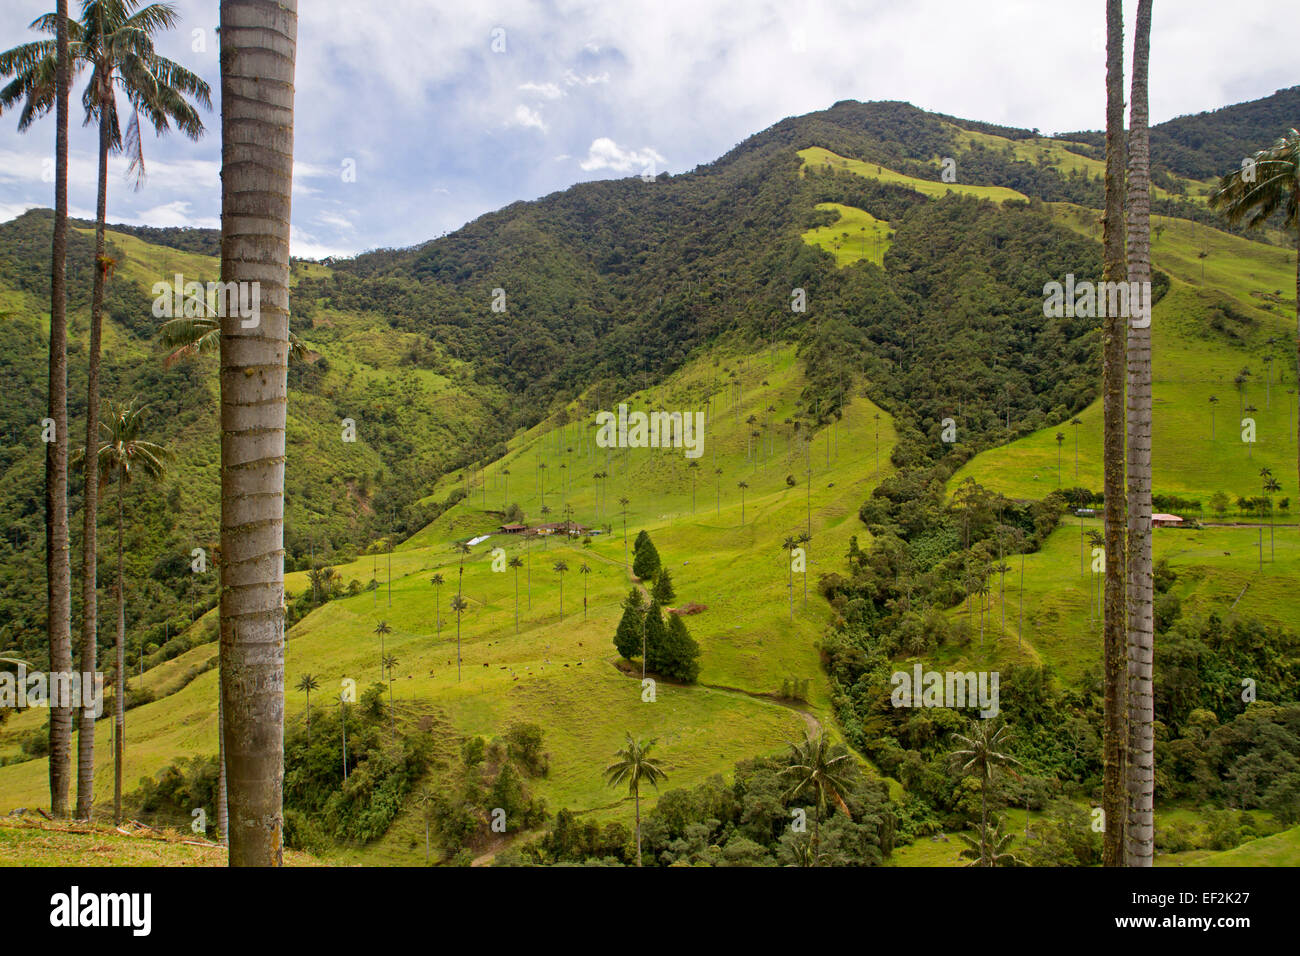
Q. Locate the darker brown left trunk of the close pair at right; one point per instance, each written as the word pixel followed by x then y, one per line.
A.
pixel 1115 644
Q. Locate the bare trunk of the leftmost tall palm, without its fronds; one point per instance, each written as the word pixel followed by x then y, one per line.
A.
pixel 59 585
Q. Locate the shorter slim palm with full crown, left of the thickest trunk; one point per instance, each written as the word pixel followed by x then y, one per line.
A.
pixel 122 456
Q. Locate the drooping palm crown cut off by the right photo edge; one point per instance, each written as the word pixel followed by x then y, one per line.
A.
pixel 1267 185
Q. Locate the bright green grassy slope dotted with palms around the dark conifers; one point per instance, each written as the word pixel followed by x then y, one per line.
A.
pixel 557 673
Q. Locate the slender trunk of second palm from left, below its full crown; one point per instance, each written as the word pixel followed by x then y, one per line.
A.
pixel 90 508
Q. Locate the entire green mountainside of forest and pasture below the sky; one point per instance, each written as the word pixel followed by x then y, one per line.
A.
pixel 834 309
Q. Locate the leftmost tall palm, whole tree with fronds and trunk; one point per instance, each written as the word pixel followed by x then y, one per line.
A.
pixel 45 79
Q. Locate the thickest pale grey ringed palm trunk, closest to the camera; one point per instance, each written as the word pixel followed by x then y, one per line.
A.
pixel 258 46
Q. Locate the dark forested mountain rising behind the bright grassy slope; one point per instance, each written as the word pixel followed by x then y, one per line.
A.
pixel 603 288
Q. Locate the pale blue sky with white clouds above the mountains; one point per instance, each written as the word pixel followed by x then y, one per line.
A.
pixel 417 116
